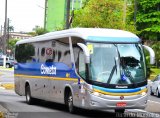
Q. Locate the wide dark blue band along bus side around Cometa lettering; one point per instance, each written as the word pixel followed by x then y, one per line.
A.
pixel 34 69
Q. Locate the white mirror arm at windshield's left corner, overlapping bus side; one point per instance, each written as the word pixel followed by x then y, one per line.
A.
pixel 86 52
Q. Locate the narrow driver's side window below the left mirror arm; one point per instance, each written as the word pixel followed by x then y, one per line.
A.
pixel 81 65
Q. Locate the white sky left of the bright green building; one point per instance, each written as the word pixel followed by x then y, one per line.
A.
pixel 24 15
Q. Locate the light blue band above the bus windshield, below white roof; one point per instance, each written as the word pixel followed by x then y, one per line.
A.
pixel 114 39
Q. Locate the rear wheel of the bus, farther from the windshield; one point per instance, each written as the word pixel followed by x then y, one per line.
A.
pixel 29 99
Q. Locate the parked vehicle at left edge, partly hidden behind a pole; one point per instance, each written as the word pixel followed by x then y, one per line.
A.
pixel 9 62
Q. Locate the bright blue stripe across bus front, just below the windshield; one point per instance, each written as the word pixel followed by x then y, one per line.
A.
pixel 119 90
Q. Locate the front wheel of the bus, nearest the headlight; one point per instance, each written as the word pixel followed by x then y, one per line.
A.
pixel 68 99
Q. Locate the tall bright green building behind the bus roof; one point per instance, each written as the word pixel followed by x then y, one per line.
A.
pixel 56 13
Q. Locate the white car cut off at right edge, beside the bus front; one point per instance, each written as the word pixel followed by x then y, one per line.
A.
pixel 155 86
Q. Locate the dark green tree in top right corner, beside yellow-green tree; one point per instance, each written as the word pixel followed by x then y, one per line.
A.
pixel 148 19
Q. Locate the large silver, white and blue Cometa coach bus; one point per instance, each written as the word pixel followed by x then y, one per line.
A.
pixel 90 68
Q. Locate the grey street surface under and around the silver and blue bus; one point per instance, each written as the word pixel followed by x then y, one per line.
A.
pixel 15 106
